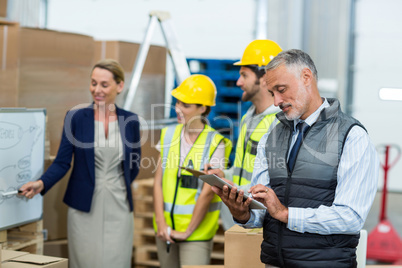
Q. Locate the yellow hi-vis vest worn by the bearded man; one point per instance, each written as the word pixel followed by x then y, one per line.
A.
pixel 246 152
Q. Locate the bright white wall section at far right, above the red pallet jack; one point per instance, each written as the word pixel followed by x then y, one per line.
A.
pixel 378 64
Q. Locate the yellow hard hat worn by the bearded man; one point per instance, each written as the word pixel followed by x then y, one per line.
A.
pixel 259 52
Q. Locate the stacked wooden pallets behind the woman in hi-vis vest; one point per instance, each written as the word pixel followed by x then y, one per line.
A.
pixel 145 255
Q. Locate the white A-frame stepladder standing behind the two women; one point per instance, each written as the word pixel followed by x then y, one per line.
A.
pixel 174 51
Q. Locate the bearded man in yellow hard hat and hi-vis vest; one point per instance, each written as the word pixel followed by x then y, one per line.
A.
pixel 259 118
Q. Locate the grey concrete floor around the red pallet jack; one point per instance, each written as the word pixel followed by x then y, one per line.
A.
pixel 393 214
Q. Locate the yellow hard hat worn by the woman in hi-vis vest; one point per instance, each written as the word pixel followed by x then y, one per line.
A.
pixel 197 89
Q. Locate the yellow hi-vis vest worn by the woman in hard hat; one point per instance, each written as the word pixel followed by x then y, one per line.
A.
pixel 180 188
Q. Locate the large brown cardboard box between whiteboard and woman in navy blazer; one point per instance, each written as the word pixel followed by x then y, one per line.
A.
pixel 54 74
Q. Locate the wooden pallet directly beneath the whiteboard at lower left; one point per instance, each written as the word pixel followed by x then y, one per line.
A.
pixel 27 237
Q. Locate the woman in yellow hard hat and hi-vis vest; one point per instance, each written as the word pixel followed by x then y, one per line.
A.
pixel 186 210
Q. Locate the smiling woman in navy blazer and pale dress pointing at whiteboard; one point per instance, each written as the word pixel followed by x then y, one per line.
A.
pixel 105 142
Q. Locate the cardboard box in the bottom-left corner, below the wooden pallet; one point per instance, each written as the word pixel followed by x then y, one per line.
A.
pixel 20 259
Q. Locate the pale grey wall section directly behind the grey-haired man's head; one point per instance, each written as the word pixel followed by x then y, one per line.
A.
pixel 321 28
